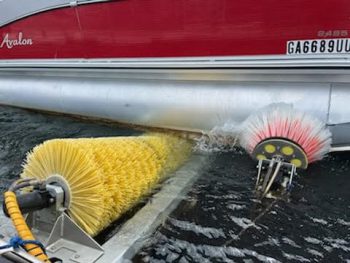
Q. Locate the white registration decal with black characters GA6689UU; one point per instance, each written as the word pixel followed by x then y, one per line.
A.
pixel 318 46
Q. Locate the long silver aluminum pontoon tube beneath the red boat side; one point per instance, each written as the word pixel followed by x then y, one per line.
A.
pixel 192 100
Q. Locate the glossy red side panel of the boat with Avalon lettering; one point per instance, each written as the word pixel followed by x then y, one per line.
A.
pixel 167 28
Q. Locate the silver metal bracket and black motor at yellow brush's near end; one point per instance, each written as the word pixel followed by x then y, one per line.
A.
pixel 47 218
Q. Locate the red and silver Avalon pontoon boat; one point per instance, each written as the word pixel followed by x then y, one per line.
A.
pixel 186 65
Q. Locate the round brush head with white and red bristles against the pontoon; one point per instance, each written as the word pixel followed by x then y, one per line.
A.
pixel 282 122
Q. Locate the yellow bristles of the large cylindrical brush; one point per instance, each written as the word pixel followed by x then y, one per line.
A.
pixel 106 176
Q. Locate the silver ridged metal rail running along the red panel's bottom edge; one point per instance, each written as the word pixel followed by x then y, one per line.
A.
pixel 261 61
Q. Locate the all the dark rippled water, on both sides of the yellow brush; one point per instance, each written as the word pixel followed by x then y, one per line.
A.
pixel 220 220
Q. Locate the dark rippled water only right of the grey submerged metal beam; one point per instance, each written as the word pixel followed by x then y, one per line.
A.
pixel 313 226
